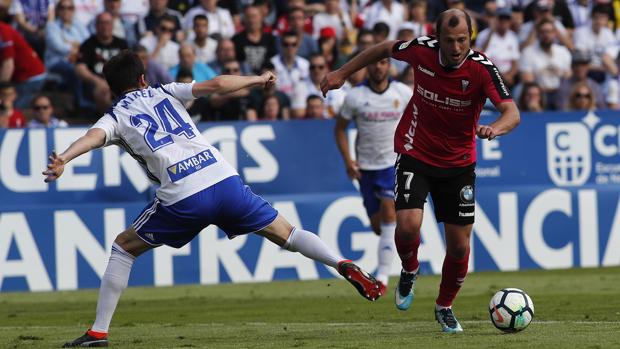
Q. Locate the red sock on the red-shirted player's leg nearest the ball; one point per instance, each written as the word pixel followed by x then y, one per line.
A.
pixel 452 277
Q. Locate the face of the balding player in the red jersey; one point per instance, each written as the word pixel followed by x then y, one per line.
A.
pixel 454 43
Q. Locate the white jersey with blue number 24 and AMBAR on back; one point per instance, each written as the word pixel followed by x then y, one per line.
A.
pixel 153 126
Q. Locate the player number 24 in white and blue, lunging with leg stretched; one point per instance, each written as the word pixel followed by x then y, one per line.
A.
pixel 197 187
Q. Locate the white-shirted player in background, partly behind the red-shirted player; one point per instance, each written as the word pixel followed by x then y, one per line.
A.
pixel 375 107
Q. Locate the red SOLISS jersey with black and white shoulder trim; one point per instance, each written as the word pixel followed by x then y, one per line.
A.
pixel 438 126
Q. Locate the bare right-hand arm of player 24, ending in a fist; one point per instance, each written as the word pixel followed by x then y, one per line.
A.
pixel 229 83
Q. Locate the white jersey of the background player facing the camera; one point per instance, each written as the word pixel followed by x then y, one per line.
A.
pixel 376 115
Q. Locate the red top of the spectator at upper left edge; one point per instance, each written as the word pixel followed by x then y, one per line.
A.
pixel 13 45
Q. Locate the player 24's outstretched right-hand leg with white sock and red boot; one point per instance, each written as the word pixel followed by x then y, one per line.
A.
pixel 310 245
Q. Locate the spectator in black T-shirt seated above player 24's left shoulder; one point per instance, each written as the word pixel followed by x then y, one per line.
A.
pixel 94 53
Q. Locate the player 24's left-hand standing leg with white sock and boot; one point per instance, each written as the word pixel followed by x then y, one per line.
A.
pixel 113 283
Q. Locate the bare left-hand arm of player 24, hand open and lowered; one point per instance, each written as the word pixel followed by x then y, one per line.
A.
pixel 94 138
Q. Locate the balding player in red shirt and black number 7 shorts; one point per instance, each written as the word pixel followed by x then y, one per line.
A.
pixel 436 145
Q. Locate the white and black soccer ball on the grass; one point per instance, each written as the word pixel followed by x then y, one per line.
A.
pixel 511 310
